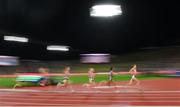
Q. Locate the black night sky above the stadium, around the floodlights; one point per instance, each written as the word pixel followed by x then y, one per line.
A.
pixel 144 23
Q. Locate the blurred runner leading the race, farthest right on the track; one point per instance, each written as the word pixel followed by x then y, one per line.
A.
pixel 133 72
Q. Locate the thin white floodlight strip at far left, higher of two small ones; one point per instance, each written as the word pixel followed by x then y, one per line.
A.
pixel 15 38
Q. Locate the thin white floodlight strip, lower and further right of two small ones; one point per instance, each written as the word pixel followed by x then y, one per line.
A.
pixel 57 48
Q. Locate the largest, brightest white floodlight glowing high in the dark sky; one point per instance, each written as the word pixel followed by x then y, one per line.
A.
pixel 105 10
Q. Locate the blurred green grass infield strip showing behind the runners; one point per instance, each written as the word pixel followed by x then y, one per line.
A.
pixel 10 82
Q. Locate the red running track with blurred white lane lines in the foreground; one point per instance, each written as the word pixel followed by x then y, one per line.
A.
pixel 145 95
